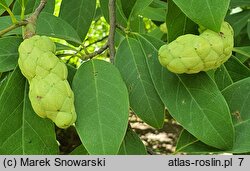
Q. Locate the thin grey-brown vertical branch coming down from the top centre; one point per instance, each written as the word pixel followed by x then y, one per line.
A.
pixel 112 20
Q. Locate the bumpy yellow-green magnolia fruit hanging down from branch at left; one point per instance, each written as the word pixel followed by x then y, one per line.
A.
pixel 50 93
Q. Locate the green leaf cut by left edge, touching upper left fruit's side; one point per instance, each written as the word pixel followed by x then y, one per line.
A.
pixel 9 53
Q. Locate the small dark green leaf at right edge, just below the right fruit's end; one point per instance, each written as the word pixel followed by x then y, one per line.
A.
pixel 236 69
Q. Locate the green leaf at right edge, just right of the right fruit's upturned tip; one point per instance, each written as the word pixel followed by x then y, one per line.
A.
pixel 238 21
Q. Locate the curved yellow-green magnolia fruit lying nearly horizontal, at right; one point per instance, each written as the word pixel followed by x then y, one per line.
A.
pixel 192 53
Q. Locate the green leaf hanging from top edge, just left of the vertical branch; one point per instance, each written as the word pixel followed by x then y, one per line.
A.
pixel 79 14
